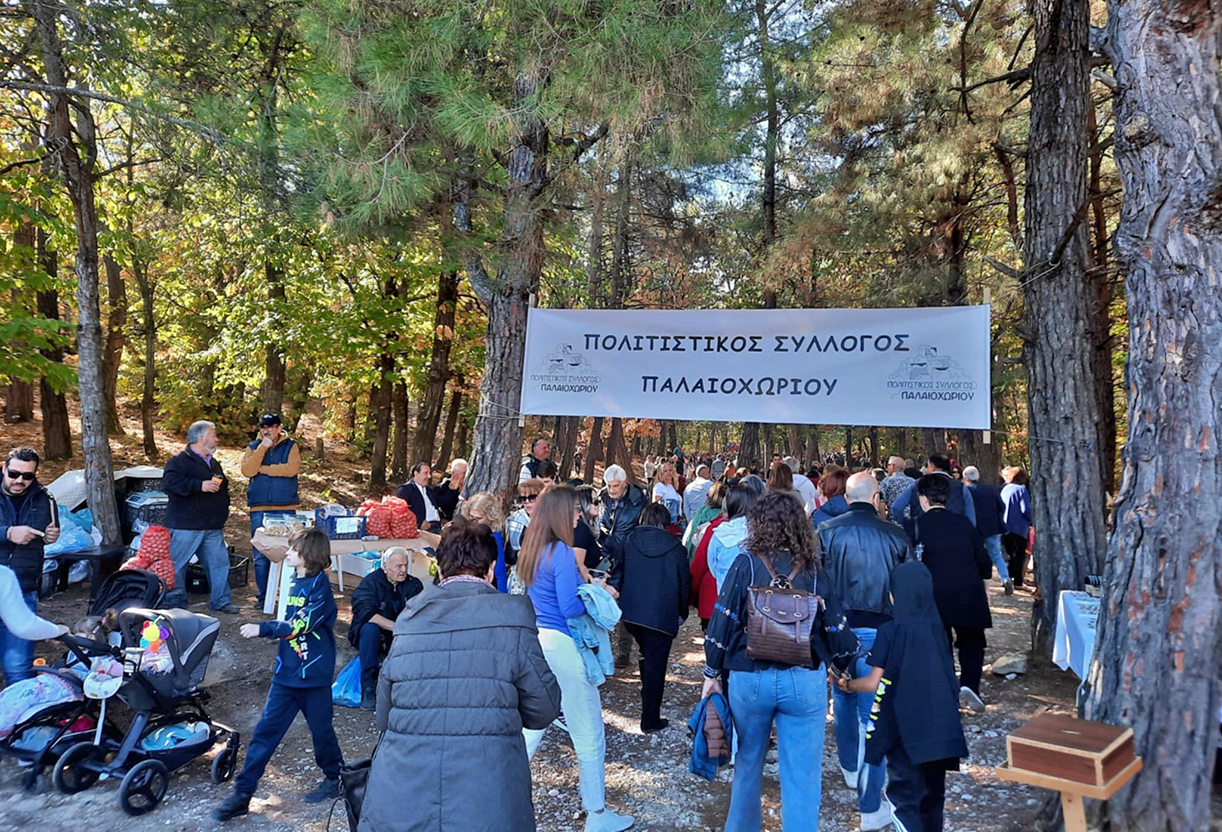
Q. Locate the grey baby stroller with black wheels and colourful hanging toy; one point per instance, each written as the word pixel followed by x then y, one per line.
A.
pixel 166 657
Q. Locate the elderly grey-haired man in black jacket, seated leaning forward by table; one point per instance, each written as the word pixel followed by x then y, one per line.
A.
pixel 377 603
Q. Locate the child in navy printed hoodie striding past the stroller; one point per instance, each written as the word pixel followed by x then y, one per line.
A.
pixel 302 676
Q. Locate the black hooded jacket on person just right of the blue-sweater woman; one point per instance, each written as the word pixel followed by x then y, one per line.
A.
pixel 652 575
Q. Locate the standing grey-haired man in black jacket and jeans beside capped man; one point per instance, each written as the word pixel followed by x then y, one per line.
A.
pixel 199 492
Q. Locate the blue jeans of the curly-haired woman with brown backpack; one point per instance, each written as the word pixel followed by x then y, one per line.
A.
pixel 797 699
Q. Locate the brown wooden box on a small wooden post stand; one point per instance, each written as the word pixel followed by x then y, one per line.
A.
pixel 1076 758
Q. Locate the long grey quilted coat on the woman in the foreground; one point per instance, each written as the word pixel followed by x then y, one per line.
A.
pixel 465 675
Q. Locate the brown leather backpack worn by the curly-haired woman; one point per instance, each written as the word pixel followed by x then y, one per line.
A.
pixel 780 620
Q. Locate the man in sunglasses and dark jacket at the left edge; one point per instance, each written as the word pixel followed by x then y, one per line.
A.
pixel 26 528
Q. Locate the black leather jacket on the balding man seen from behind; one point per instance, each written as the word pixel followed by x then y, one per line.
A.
pixel 860 552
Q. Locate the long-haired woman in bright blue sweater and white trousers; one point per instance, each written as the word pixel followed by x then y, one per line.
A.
pixel 548 567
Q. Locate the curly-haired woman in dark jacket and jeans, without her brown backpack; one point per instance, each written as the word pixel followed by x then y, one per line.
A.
pixel 780 542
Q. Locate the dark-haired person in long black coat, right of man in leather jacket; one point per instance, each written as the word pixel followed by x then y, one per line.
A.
pixel 954 552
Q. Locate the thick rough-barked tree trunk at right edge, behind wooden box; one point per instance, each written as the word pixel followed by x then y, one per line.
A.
pixel 1160 643
